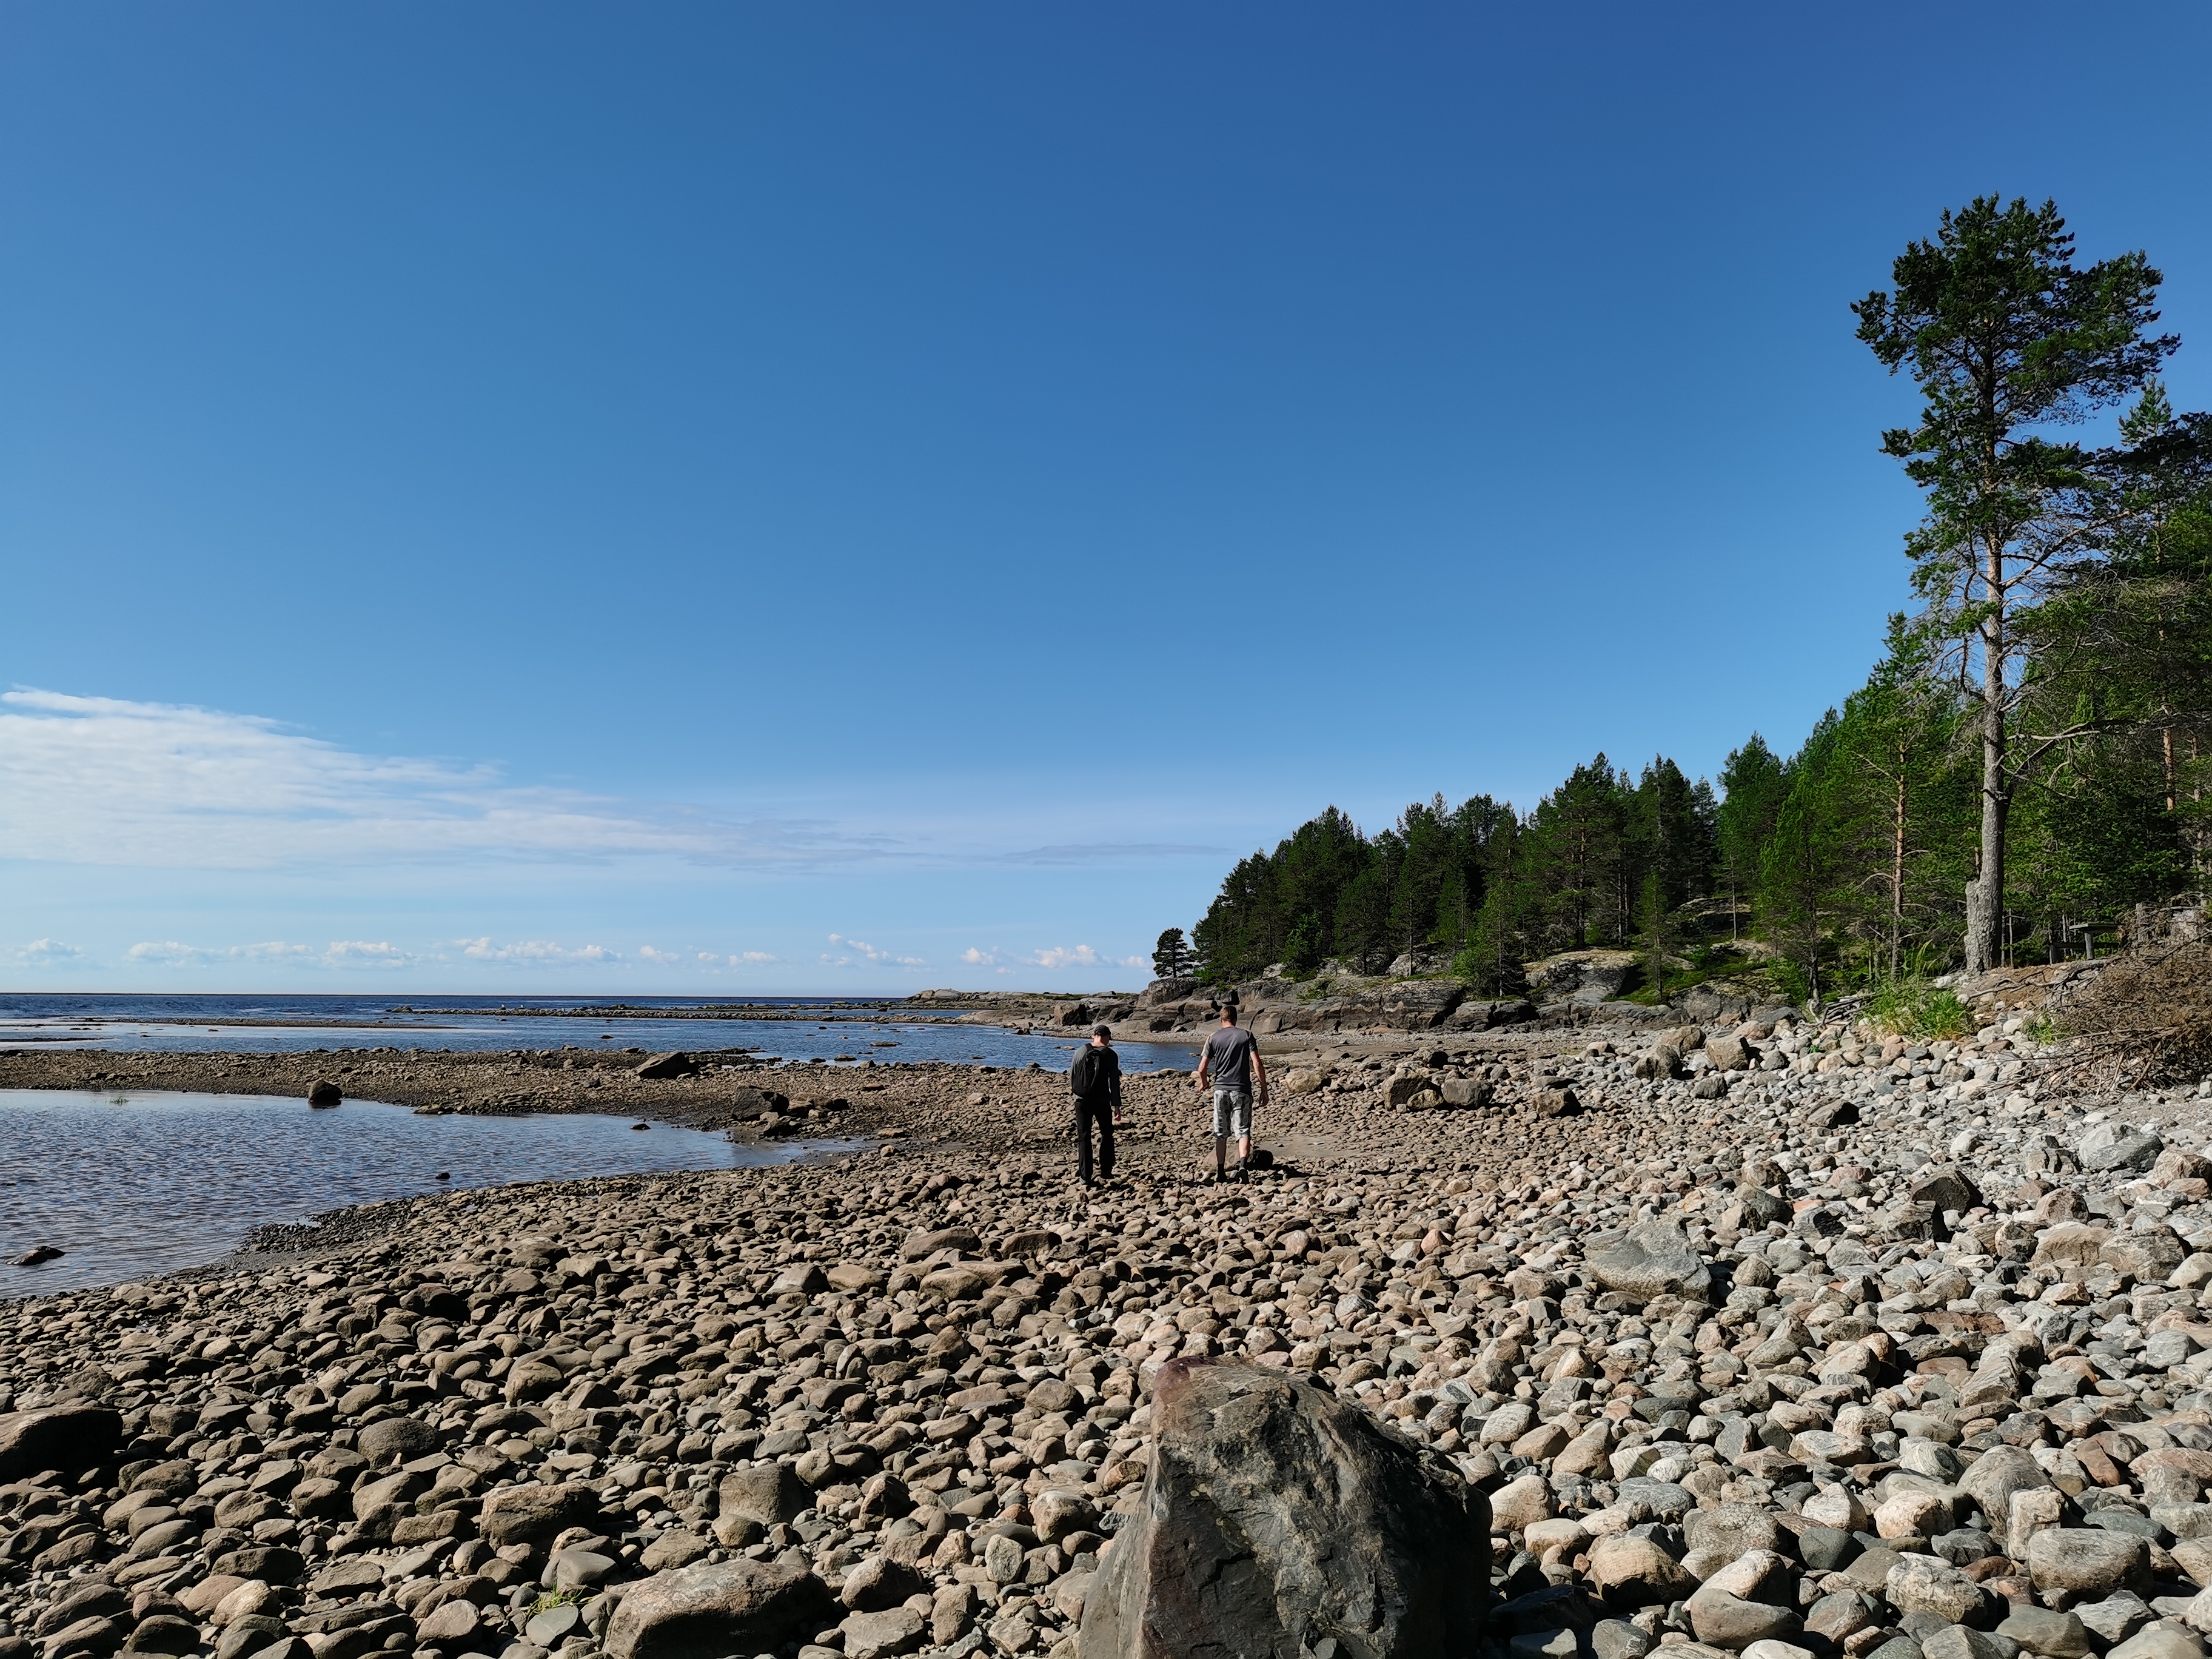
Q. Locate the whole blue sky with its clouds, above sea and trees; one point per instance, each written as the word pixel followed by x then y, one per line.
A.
pixel 839 499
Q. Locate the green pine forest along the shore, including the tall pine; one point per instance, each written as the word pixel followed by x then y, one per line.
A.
pixel 2025 764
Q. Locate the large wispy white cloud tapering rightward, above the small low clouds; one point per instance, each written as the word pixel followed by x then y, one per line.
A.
pixel 107 782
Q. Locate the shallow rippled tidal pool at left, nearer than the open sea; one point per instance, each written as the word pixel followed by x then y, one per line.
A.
pixel 136 1185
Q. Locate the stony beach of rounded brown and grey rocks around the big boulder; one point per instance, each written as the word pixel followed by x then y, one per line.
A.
pixel 1755 1337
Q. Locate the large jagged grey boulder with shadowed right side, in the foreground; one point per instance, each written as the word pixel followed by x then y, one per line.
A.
pixel 1277 1516
